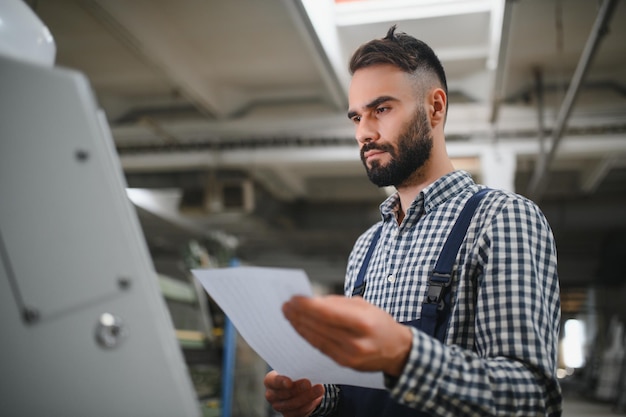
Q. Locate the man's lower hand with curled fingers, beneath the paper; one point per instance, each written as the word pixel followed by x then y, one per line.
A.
pixel 292 398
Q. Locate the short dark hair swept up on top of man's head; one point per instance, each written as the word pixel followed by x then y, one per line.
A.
pixel 401 50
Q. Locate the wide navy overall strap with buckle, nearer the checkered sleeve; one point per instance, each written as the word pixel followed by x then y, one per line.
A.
pixel 436 306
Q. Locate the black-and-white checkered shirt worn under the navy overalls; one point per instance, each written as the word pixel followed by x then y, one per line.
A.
pixel 499 356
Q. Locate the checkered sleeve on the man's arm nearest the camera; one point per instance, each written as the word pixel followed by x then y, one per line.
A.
pixel 510 370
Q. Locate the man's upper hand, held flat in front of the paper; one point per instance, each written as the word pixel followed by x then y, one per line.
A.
pixel 352 332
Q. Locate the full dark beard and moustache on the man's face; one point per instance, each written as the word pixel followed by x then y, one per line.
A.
pixel 412 151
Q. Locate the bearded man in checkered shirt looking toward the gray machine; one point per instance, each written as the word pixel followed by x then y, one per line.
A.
pixel 498 355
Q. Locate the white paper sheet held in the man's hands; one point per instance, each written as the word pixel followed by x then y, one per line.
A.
pixel 252 297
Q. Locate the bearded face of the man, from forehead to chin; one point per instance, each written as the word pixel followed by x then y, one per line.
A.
pixel 392 127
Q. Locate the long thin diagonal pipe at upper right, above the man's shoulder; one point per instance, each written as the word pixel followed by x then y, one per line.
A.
pixel 538 181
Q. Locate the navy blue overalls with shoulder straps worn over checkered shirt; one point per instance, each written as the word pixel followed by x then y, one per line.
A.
pixel 368 402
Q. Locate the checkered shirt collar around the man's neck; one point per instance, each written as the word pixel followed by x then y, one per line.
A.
pixel 431 196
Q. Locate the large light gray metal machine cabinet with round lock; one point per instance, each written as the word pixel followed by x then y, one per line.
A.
pixel 85 330
